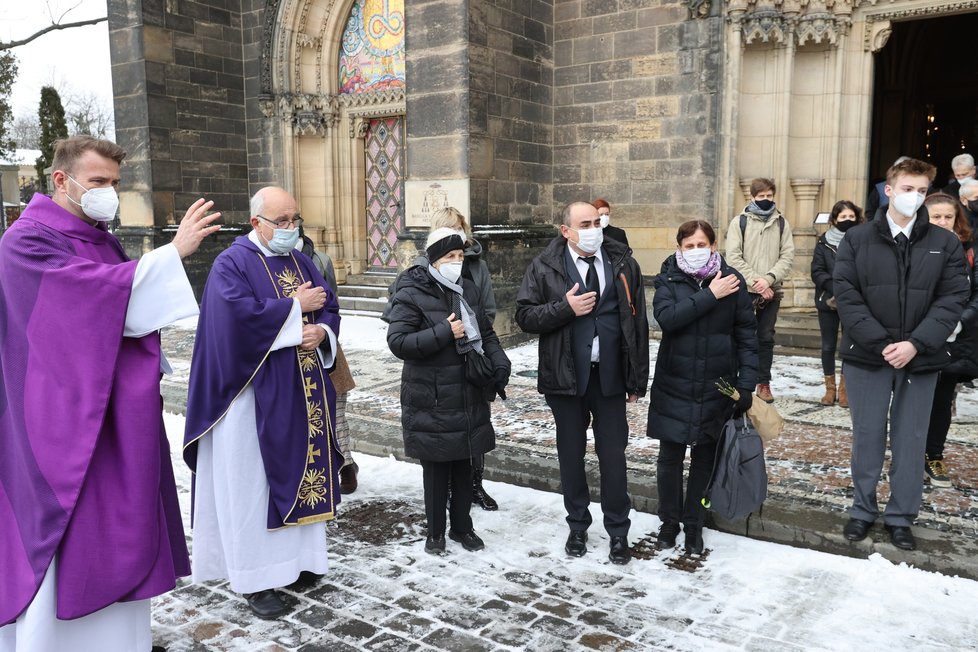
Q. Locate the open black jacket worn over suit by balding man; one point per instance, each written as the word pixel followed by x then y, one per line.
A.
pixel 542 307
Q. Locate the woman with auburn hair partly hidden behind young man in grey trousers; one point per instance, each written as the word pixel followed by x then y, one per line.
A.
pixel 946 212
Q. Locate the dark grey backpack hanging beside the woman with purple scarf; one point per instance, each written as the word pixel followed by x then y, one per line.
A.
pixel 739 483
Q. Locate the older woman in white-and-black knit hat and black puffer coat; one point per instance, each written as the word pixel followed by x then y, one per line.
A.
pixel 436 324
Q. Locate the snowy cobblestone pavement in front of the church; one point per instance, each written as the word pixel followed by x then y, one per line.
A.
pixel 384 593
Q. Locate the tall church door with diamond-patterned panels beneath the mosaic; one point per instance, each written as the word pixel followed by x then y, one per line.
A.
pixel 384 153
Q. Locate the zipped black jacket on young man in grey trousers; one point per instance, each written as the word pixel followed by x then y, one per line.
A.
pixel 884 298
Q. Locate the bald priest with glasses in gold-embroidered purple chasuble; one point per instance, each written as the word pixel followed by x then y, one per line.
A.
pixel 260 412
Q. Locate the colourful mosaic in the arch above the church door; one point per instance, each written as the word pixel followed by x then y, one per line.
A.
pixel 372 56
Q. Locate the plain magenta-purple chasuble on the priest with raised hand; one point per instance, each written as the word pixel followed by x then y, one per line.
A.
pixel 84 463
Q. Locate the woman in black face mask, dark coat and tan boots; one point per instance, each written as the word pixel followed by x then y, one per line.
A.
pixel 844 214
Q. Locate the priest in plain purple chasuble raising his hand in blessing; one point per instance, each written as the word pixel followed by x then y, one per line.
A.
pixel 90 528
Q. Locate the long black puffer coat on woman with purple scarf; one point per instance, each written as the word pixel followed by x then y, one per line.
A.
pixel 704 340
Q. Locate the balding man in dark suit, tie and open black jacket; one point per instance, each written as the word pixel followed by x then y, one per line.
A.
pixel 584 296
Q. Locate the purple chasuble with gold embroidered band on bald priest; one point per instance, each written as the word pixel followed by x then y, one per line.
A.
pixel 247 301
